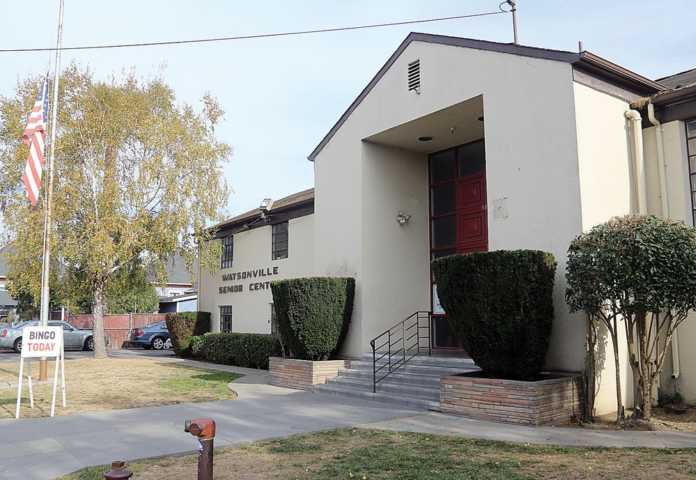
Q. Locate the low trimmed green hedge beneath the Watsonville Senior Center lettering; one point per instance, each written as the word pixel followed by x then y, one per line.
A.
pixel 241 349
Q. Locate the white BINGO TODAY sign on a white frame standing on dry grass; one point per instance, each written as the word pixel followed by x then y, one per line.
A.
pixel 42 342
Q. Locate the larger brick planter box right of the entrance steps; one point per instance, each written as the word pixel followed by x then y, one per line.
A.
pixel 554 399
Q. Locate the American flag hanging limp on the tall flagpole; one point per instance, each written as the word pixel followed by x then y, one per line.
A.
pixel 35 137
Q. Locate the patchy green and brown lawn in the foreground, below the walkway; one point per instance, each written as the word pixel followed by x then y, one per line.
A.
pixel 370 454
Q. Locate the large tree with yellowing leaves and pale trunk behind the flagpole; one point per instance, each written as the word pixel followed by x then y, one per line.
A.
pixel 137 179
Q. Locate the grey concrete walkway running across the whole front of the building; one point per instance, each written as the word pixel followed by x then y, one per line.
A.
pixel 46 448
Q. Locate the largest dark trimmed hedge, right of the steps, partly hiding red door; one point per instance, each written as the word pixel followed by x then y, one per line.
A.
pixel 500 304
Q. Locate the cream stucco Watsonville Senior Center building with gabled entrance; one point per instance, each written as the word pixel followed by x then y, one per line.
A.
pixel 460 145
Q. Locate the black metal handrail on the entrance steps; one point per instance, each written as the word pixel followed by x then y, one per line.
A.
pixel 406 342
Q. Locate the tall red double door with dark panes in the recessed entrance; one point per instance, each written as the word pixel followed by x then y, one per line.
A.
pixel 458 216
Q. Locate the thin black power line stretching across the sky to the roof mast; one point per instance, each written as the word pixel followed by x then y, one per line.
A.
pixel 254 36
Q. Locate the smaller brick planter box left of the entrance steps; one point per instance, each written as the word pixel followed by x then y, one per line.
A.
pixel 303 374
